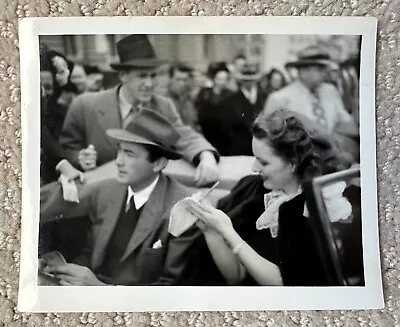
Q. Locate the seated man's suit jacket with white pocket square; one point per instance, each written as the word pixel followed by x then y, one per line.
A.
pixel 141 264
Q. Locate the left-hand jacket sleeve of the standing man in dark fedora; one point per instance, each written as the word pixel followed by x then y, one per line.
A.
pixel 73 136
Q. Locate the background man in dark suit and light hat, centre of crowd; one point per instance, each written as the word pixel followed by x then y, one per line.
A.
pixel 239 111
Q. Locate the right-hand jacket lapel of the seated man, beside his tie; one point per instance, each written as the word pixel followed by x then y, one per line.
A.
pixel 149 218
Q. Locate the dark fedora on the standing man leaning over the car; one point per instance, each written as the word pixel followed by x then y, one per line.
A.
pixel 136 51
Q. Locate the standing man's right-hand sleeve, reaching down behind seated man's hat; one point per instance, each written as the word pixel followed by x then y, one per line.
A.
pixel 190 143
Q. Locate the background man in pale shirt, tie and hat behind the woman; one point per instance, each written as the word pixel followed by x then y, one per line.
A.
pixel 320 101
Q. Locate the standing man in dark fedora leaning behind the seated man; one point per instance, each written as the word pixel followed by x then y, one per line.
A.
pixel 90 115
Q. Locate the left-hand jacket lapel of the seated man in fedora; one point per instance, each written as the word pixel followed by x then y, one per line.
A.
pixel 114 197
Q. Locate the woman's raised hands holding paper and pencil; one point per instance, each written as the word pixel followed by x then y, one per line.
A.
pixel 211 218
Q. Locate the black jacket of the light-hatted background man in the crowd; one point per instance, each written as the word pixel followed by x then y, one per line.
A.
pixel 237 117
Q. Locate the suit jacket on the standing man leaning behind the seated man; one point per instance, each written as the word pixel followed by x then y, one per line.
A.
pixel 92 114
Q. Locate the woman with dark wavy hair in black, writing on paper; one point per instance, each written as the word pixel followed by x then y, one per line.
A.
pixel 261 234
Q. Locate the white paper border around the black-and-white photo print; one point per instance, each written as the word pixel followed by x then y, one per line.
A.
pixel 35 298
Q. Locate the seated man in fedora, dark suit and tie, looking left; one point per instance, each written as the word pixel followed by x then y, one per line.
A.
pixel 129 243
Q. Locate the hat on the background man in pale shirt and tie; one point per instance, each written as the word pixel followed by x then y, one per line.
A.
pixel 312 56
